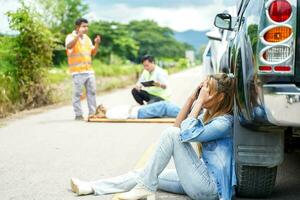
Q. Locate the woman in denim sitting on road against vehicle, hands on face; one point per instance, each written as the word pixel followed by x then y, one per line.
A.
pixel 211 176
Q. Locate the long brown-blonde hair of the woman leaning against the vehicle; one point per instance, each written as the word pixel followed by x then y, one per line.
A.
pixel 222 86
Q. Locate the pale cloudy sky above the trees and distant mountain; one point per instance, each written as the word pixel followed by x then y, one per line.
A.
pixel 180 15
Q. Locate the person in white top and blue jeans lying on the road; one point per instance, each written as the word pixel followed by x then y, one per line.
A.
pixel 160 109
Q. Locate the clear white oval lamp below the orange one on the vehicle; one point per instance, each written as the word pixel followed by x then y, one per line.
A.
pixel 276 54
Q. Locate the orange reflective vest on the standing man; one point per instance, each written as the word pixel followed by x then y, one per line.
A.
pixel 80 59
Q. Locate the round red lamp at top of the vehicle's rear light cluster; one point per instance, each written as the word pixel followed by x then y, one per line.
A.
pixel 280 10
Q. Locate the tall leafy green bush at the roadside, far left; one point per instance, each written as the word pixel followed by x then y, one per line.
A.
pixel 34 47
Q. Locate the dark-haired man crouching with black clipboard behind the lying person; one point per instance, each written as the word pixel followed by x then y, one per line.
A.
pixel 157 83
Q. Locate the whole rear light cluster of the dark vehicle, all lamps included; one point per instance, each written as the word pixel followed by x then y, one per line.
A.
pixel 277 39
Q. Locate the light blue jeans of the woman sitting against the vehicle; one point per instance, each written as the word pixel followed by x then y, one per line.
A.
pixel 191 176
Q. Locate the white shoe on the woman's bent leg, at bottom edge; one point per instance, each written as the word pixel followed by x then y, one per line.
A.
pixel 138 192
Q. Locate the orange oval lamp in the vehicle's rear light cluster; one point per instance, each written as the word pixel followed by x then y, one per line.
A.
pixel 278 34
